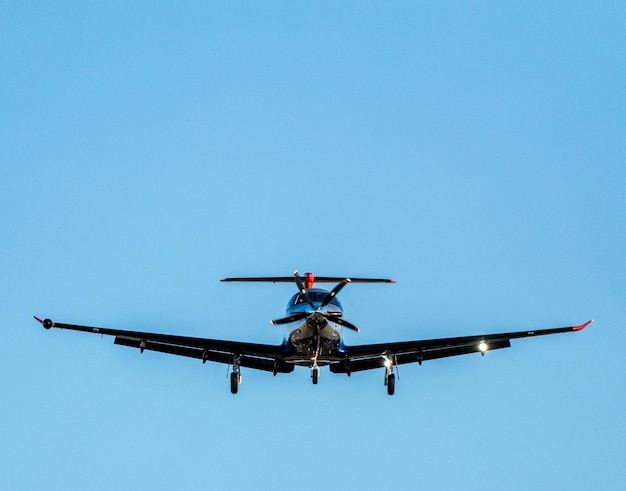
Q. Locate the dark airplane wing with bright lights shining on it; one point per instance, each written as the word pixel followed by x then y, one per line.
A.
pixel 365 357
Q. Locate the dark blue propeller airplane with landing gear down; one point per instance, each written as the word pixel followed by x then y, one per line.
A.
pixel 315 341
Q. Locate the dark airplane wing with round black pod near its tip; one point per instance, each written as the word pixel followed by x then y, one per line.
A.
pixel 260 356
